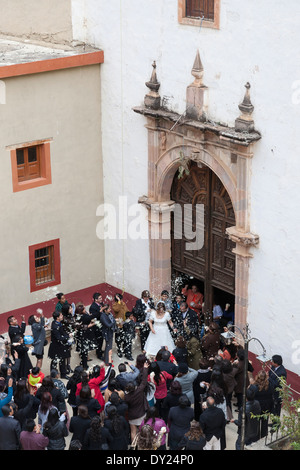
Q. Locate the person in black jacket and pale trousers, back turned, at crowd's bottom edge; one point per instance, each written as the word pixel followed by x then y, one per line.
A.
pixel 213 423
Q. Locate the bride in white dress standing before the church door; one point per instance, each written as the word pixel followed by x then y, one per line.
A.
pixel 159 335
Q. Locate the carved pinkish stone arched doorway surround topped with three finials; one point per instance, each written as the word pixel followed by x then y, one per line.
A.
pixel 174 141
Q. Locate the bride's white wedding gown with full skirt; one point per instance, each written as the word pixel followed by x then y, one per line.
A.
pixel 162 335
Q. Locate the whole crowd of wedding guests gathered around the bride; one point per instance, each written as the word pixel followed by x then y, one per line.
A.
pixel 177 393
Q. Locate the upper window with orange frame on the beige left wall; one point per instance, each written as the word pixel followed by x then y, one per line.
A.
pixel 30 163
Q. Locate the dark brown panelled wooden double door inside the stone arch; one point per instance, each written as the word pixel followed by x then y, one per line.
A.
pixel 212 264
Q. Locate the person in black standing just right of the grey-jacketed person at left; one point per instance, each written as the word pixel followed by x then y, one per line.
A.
pixel 59 345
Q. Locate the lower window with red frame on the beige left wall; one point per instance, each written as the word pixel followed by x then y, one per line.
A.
pixel 44 265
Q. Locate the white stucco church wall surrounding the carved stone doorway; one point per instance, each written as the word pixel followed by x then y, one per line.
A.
pixel 257 42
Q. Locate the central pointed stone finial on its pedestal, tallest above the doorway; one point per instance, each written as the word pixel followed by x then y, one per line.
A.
pixel 197 93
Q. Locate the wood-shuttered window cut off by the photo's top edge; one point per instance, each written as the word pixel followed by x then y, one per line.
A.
pixel 199 13
